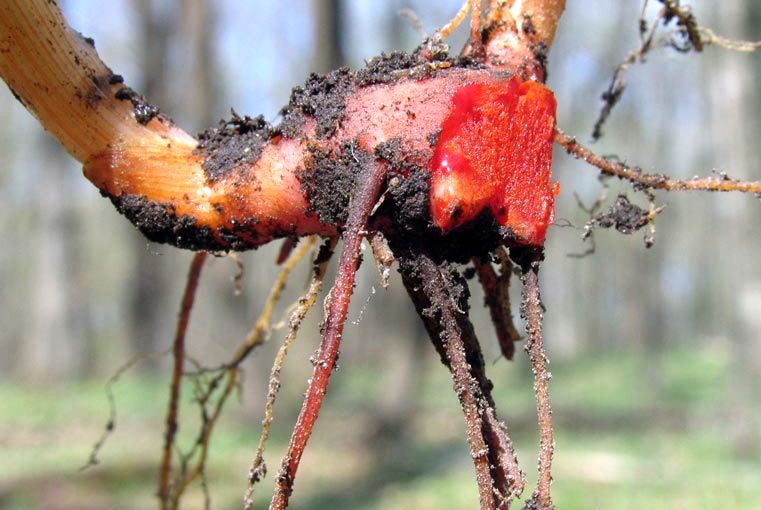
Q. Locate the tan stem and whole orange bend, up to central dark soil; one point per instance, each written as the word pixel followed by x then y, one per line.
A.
pixel 148 167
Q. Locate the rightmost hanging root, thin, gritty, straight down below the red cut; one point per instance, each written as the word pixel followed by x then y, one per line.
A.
pixel 532 312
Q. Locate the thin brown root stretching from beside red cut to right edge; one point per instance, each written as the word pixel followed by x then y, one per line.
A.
pixel 636 176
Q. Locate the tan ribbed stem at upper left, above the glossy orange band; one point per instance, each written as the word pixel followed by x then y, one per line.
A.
pixel 57 74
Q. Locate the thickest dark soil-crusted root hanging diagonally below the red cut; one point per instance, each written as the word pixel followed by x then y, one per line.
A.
pixel 440 298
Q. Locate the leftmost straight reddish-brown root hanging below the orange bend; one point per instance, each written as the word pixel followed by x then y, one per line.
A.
pixel 179 361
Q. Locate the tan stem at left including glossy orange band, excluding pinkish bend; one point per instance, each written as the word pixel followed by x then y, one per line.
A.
pixel 56 73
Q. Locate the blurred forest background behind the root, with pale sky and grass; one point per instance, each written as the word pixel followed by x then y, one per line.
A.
pixel 656 355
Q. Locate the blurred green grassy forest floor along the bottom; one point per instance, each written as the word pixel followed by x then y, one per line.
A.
pixel 625 439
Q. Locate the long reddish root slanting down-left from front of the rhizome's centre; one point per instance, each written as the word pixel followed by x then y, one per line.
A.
pixel 360 210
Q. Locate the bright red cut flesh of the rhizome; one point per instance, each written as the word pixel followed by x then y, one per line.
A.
pixel 495 151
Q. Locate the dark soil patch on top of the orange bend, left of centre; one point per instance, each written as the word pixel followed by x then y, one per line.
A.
pixel 233 143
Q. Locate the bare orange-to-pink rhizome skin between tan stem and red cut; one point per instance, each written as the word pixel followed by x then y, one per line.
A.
pixel 264 200
